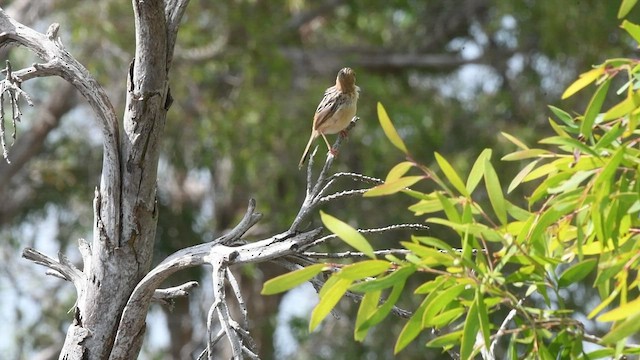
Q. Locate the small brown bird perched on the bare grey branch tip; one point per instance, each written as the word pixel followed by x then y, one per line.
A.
pixel 335 111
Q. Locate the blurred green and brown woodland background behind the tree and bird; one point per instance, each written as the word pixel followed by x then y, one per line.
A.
pixel 246 78
